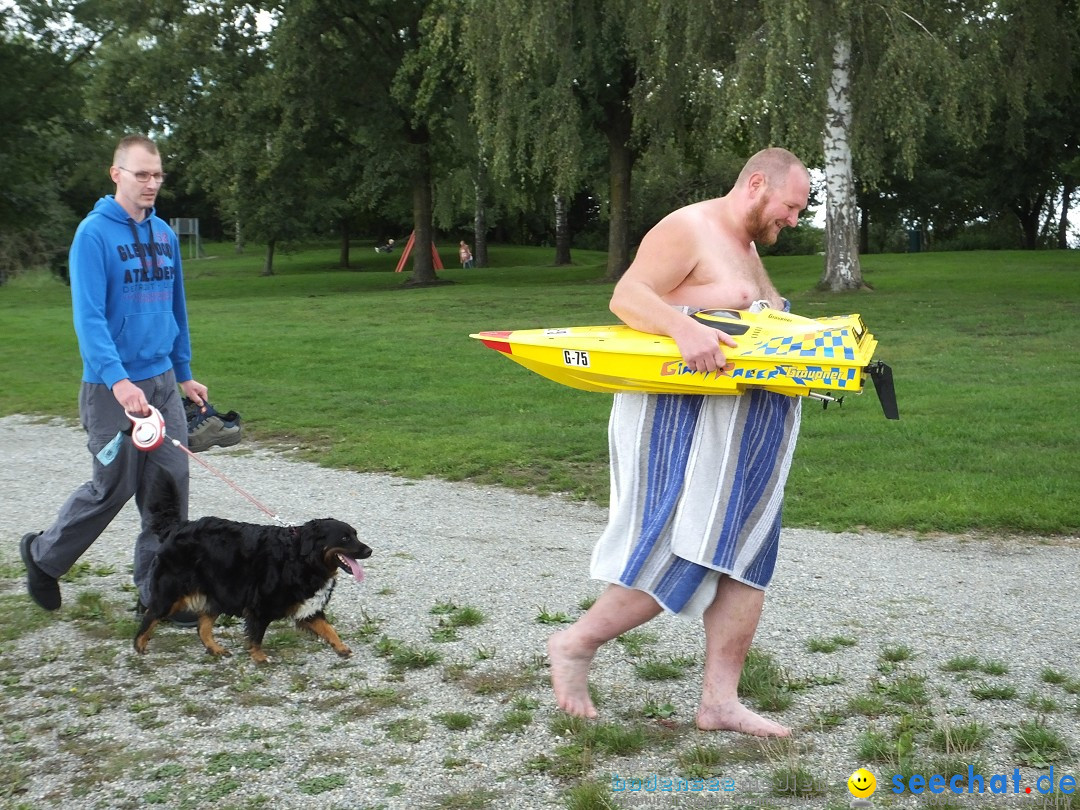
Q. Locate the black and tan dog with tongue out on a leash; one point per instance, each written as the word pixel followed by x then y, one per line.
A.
pixel 262 574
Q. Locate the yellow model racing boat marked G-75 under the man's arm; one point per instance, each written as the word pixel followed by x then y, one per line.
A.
pixel 823 358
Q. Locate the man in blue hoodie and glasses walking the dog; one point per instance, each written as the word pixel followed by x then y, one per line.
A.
pixel 131 320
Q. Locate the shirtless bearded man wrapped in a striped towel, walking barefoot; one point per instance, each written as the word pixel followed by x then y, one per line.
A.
pixel 703 256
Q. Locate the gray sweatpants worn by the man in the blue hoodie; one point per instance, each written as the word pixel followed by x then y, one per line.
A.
pixel 93 506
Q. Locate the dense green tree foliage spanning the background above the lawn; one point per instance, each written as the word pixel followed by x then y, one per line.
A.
pixel 302 117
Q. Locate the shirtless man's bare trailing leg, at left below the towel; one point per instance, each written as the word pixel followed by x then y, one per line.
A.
pixel 571 652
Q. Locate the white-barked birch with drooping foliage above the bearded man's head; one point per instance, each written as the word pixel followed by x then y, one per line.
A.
pixel 855 86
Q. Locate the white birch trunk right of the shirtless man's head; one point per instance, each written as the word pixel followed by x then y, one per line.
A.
pixel 843 271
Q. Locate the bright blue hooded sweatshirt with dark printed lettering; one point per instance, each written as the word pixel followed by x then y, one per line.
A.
pixel 128 298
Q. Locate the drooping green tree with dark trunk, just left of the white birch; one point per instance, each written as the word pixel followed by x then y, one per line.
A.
pixel 552 79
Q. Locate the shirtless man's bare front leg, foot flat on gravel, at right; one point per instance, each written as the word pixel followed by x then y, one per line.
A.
pixel 731 623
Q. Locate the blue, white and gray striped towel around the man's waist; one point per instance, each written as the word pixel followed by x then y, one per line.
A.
pixel 697 490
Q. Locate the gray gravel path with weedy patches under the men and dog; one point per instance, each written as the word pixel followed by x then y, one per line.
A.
pixel 87 723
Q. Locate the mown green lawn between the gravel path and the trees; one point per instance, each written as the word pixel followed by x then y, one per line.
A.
pixel 358 372
